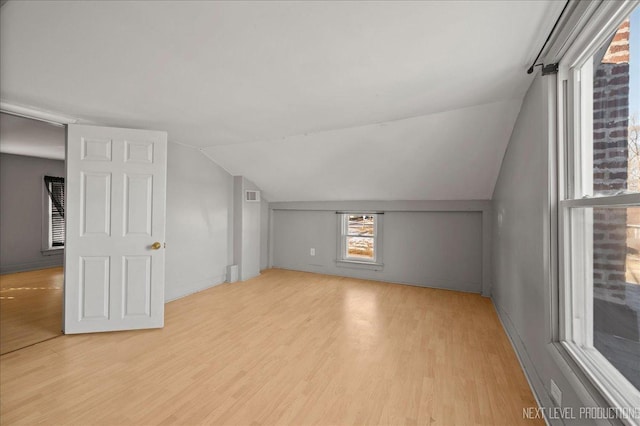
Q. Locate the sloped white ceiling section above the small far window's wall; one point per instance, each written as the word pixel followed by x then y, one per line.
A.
pixel 453 155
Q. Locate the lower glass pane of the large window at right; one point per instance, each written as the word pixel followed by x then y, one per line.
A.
pixel 616 289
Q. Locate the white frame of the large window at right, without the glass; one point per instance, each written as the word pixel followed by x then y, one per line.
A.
pixel 575 316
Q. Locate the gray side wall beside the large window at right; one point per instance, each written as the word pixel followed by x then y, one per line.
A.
pixel 522 284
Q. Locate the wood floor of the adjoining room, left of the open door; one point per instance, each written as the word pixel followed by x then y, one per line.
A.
pixel 30 308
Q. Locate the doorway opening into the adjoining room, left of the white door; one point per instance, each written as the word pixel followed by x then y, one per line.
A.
pixel 32 231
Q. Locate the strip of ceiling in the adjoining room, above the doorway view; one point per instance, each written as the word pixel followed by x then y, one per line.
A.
pixel 22 136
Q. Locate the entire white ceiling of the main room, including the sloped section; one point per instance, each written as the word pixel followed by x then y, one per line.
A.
pixel 246 77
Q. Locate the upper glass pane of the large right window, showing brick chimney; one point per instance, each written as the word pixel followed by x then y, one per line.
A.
pixel 616 75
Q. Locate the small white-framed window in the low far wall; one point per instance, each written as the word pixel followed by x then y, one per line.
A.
pixel 359 237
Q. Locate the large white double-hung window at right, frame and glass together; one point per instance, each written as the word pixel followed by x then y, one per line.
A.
pixel 599 208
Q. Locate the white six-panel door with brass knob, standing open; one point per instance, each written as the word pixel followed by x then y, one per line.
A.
pixel 115 229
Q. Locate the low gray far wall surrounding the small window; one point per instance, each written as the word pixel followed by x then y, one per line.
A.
pixel 426 248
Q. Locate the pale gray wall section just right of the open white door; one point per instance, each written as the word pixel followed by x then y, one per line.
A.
pixel 199 197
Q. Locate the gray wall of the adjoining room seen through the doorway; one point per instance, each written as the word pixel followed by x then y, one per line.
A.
pixel 22 210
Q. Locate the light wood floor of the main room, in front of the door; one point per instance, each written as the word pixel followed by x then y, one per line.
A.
pixel 284 348
